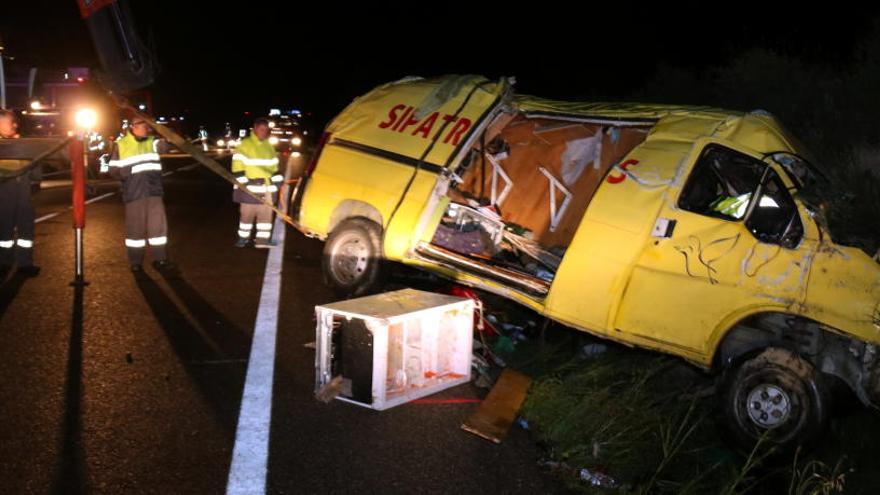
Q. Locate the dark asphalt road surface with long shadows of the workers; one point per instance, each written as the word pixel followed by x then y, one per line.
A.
pixel 133 385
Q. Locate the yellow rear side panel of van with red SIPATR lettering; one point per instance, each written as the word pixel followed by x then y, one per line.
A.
pixel 384 152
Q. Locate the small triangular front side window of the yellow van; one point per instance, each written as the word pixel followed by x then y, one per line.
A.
pixel 775 218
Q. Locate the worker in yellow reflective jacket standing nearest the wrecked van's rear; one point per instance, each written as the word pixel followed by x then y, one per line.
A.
pixel 255 166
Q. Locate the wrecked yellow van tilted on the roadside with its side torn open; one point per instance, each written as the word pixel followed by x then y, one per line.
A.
pixel 678 229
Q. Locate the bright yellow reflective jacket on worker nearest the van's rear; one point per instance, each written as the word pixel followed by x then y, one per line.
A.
pixel 255 166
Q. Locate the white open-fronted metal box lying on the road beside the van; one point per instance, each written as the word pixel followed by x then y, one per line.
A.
pixel 395 347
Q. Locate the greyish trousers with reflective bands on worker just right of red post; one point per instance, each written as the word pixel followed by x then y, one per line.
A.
pixel 145 225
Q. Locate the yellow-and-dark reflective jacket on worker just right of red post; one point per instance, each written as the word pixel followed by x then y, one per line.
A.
pixel 139 167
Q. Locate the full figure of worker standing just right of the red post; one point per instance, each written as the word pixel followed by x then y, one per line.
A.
pixel 135 160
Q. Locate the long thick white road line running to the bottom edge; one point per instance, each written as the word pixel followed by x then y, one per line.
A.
pixel 250 456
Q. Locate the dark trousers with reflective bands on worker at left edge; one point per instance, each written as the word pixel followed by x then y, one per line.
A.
pixel 16 222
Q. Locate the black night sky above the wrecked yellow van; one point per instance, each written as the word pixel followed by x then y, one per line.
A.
pixel 217 58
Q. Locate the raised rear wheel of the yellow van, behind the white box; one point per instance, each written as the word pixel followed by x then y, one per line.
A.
pixel 352 260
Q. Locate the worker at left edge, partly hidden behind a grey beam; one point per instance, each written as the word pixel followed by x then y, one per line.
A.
pixel 16 209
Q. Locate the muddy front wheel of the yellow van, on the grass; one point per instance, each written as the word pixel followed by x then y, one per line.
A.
pixel 776 393
